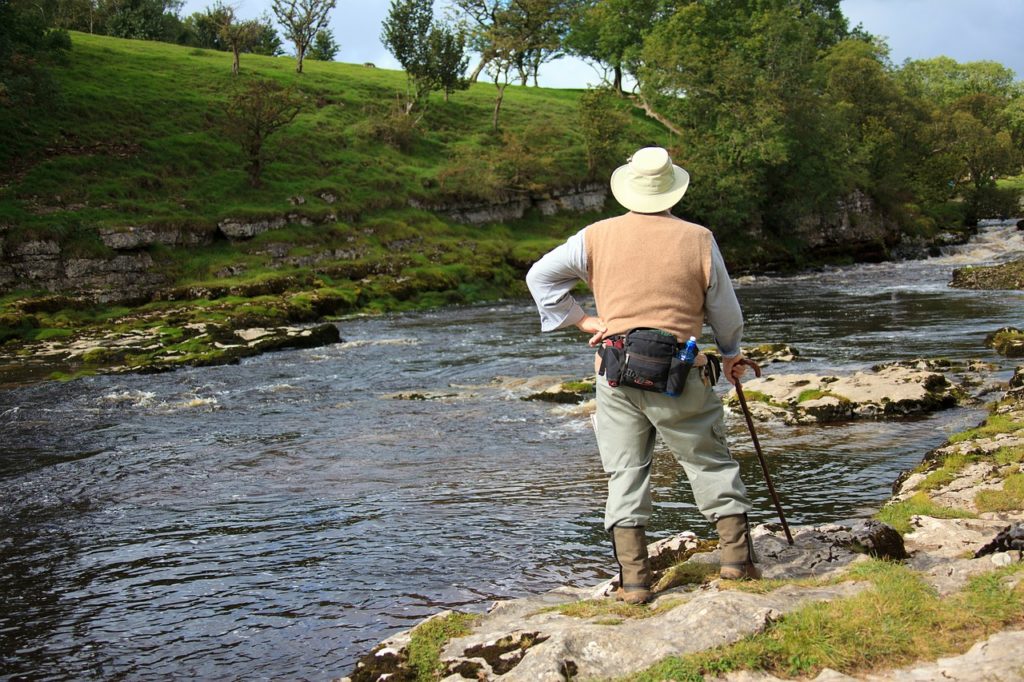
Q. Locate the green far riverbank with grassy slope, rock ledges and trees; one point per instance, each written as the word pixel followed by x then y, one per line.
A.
pixel 129 184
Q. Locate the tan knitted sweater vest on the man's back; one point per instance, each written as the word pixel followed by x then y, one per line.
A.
pixel 650 271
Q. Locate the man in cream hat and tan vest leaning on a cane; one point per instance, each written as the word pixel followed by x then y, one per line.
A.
pixel 652 271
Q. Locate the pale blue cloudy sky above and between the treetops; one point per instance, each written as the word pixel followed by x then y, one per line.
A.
pixel 964 30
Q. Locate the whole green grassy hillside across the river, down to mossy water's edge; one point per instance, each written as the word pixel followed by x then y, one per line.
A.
pixel 138 139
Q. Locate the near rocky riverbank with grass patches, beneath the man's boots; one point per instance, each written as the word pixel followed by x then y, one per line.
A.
pixel 874 600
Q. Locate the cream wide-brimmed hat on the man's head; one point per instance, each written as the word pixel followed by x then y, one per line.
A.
pixel 650 183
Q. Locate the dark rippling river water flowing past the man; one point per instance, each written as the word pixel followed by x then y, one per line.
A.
pixel 279 518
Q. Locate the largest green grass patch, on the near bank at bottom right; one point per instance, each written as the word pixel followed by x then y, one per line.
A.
pixel 900 620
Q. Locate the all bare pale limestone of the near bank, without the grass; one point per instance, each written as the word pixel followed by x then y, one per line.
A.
pixel 533 640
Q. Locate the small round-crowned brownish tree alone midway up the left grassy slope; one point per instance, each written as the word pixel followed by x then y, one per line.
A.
pixel 254 113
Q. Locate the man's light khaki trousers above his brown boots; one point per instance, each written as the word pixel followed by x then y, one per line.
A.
pixel 692 425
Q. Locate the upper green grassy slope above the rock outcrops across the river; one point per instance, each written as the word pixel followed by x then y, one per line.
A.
pixel 140 137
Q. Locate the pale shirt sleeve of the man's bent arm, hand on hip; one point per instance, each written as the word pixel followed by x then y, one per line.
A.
pixel 551 280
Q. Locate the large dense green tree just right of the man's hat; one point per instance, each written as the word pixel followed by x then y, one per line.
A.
pixel 739 80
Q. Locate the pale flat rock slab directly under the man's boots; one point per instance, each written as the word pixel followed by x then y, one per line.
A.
pixel 527 640
